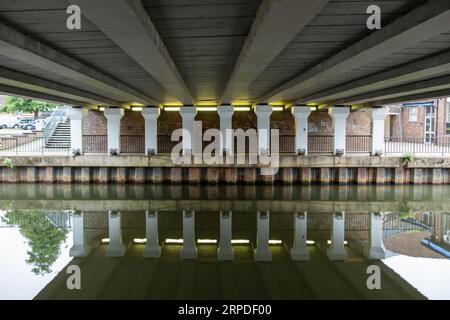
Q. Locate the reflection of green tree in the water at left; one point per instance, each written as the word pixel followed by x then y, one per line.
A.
pixel 44 238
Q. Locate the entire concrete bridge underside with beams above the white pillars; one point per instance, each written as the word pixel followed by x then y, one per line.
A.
pixel 196 52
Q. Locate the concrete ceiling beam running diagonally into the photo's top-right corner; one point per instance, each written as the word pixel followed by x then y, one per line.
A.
pixel 422 23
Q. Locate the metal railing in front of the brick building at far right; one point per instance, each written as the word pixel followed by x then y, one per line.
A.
pixel 440 146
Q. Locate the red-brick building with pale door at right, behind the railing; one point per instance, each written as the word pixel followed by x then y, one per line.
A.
pixel 420 120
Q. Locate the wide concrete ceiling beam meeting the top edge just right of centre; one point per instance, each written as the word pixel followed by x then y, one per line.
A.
pixel 275 26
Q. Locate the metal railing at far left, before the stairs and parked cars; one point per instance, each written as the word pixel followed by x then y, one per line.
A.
pixel 16 146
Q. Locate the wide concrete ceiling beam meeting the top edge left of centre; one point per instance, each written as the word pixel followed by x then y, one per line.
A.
pixel 127 23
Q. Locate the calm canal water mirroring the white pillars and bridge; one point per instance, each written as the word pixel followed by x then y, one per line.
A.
pixel 216 242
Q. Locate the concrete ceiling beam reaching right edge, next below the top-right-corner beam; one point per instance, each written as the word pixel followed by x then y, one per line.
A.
pixel 426 68
